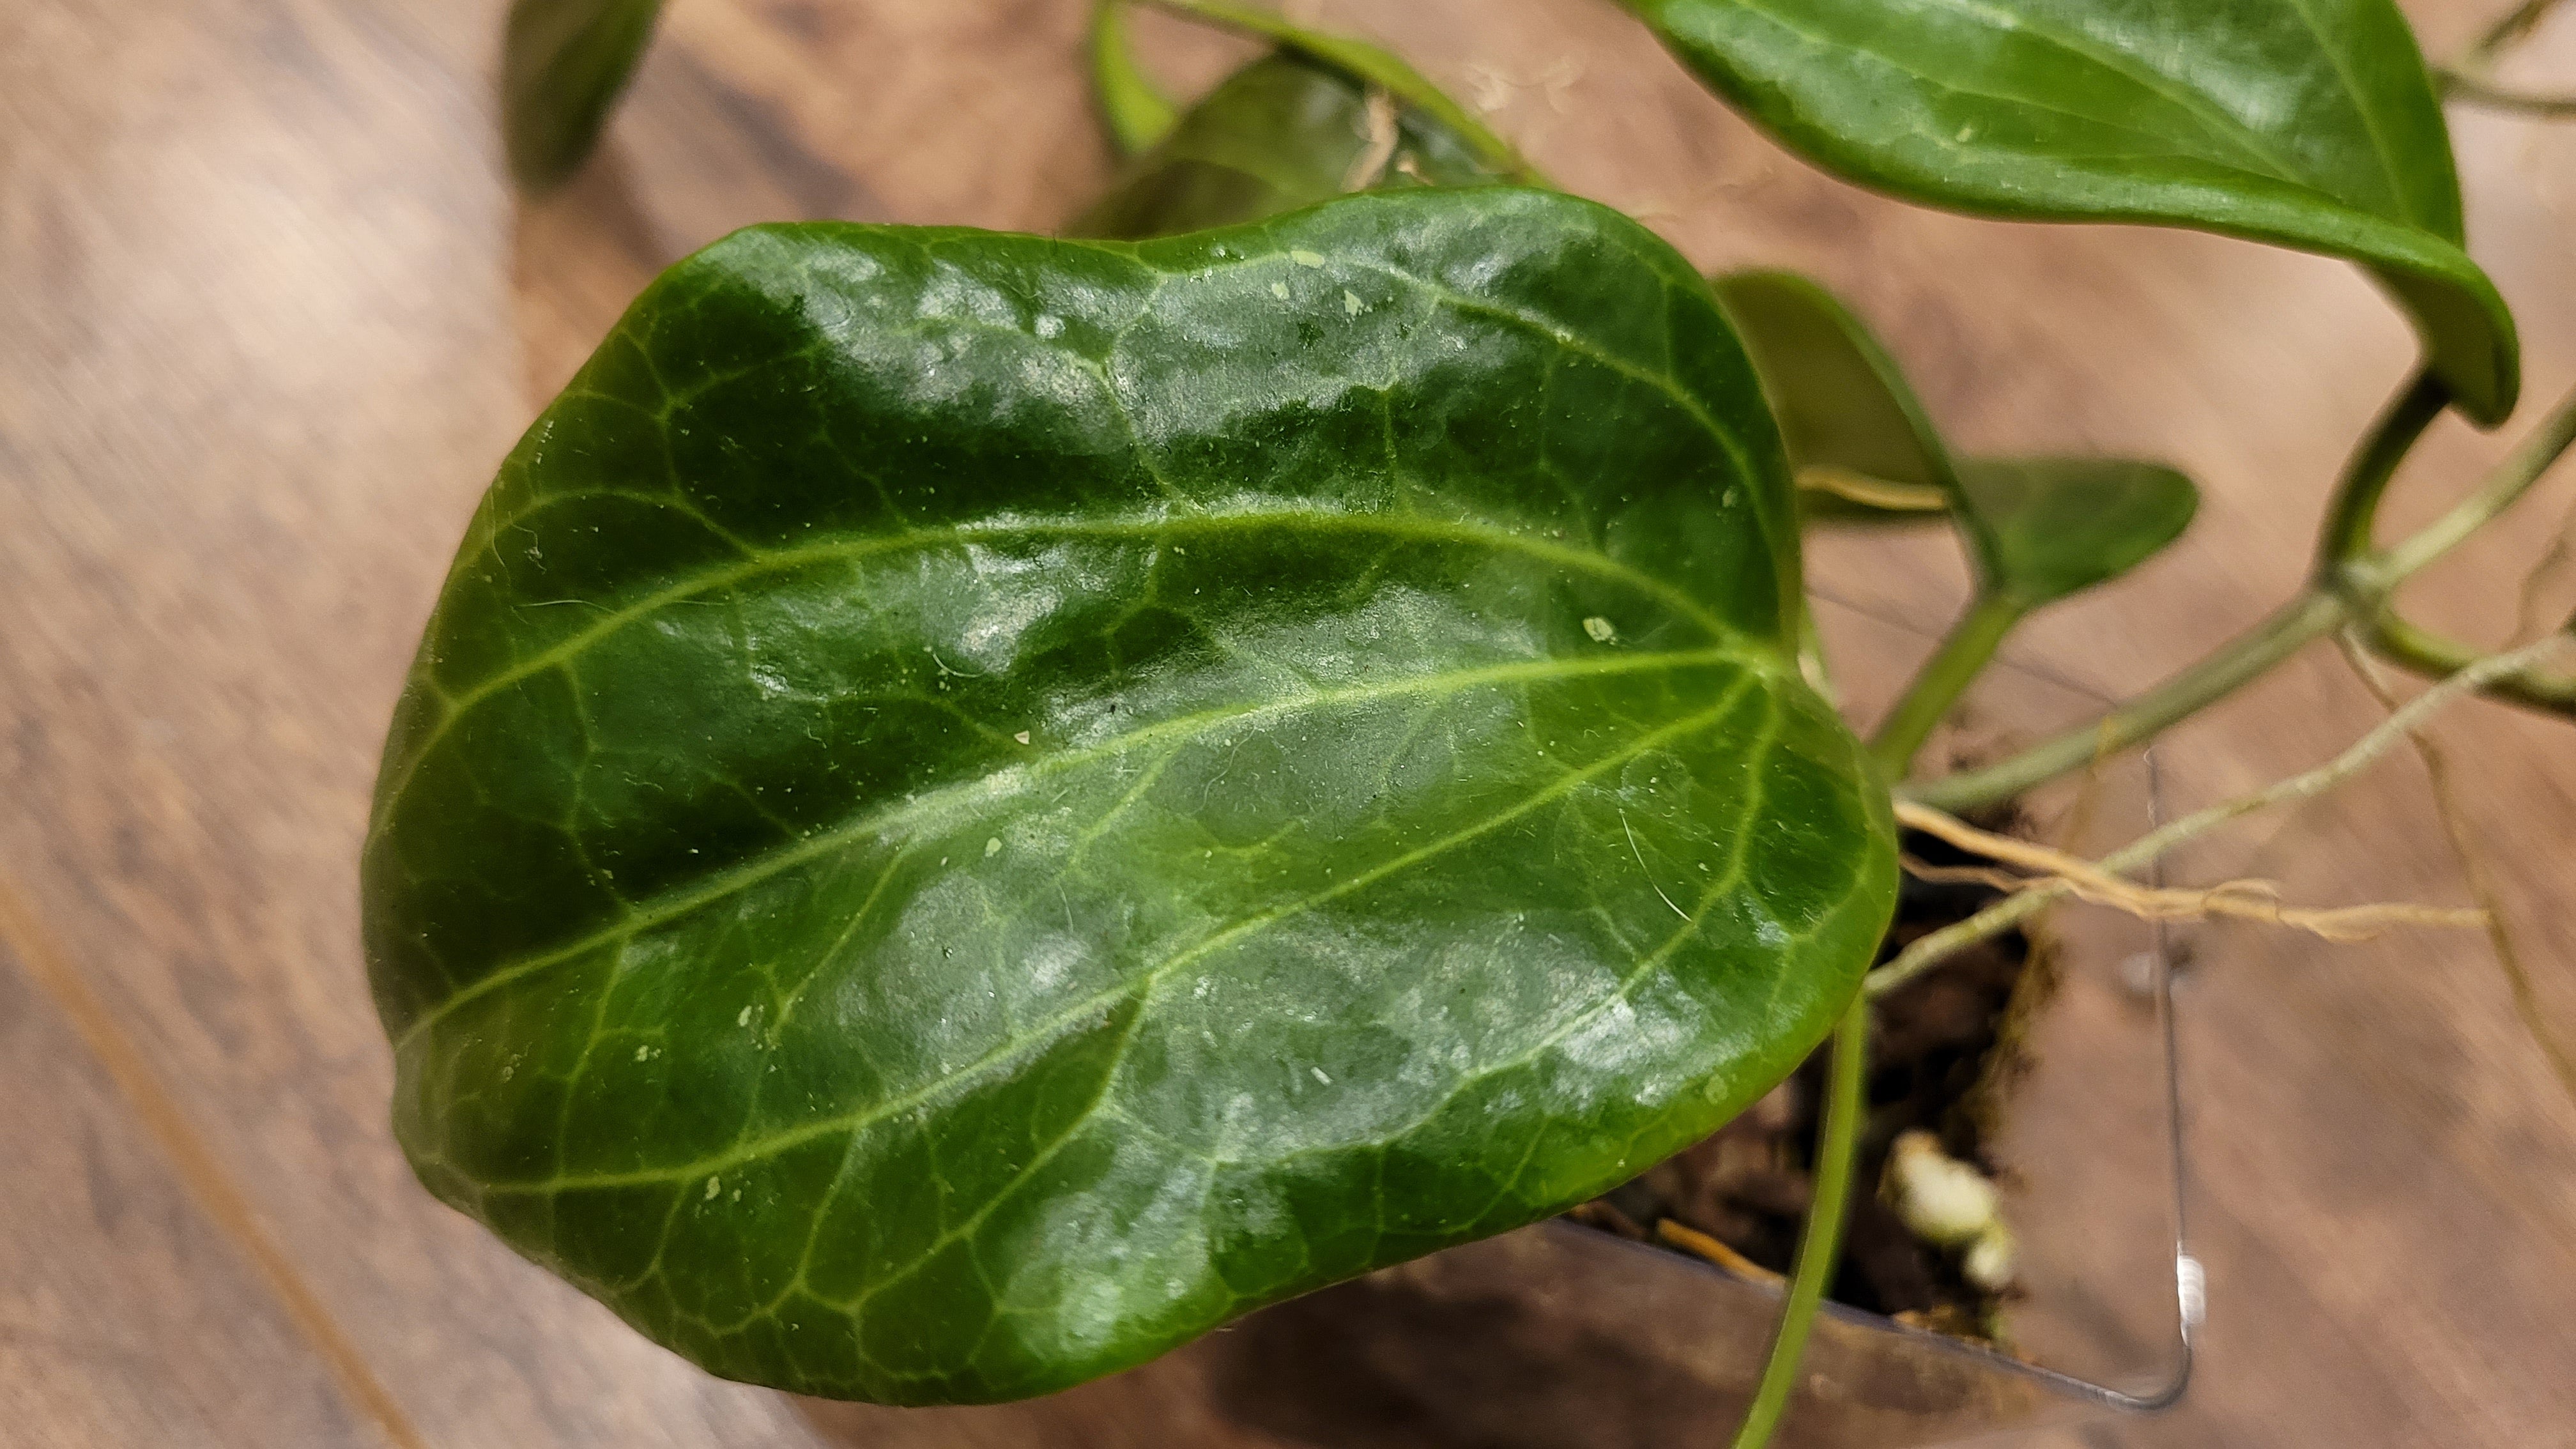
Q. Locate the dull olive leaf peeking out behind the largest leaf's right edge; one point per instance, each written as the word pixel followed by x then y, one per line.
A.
pixel 1853 427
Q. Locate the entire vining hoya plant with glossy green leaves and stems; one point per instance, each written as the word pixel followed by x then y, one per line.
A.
pixel 980 806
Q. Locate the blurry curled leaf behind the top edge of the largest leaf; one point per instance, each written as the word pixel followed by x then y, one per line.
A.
pixel 1307 122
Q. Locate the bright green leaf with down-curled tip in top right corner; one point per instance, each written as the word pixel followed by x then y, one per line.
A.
pixel 2297 122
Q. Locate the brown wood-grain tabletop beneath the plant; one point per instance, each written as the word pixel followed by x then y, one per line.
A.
pixel 269 316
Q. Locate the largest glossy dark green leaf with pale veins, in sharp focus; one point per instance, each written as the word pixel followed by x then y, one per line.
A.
pixel 980 806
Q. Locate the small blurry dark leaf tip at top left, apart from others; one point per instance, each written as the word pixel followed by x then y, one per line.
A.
pixel 563 71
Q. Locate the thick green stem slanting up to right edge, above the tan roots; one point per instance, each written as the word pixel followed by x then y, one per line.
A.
pixel 2322 610
